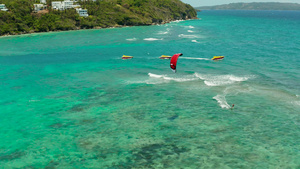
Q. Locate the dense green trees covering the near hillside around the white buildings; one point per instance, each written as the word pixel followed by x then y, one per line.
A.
pixel 103 13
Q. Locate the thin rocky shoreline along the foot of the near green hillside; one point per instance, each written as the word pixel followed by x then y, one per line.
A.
pixel 78 29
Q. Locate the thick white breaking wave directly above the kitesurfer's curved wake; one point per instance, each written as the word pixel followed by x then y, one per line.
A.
pixel 220 80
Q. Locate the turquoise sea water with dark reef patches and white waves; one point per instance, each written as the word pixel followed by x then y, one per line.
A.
pixel 69 101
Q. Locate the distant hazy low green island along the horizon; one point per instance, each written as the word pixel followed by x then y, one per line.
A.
pixel 256 6
